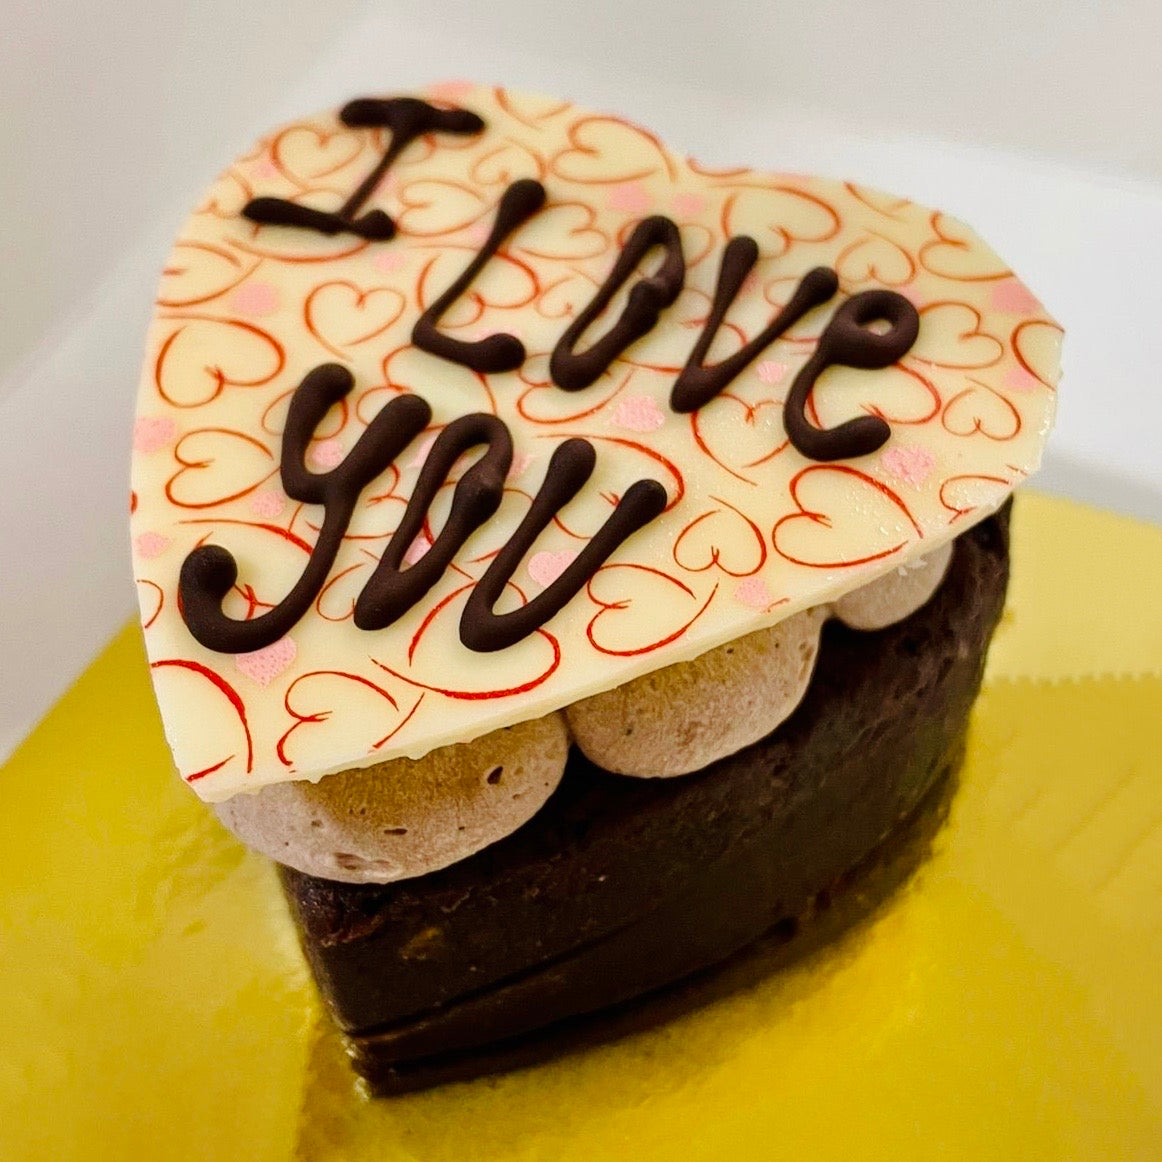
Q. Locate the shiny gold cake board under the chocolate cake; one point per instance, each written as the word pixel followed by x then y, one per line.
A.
pixel 1005 1005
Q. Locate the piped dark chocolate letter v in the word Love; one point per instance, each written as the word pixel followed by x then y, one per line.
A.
pixel 697 384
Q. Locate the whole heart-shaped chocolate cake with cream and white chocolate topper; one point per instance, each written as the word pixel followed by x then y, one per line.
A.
pixel 489 451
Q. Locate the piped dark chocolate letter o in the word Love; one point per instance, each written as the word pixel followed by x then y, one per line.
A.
pixel 649 298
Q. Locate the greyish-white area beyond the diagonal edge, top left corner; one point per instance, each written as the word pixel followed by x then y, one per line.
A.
pixel 106 111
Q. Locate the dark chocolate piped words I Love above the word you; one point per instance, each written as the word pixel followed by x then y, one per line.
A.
pixel 871 331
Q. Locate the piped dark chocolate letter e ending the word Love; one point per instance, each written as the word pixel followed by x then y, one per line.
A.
pixel 850 342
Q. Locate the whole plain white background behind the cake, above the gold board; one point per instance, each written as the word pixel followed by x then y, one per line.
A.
pixel 1041 124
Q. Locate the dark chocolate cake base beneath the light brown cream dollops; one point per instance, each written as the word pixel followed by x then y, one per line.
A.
pixel 620 887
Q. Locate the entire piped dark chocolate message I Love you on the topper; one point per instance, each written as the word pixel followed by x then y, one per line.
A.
pixel 870 331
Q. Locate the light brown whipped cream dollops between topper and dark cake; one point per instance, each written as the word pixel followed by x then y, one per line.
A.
pixel 408 817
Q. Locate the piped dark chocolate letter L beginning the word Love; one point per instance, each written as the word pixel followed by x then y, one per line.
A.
pixel 498 353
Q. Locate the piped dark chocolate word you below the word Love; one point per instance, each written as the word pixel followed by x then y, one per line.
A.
pixel 210 572
